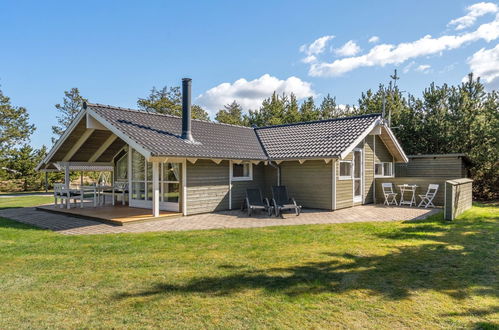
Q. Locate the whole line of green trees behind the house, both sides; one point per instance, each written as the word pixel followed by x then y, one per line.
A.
pixel 445 119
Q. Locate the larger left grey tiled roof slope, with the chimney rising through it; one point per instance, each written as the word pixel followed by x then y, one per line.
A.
pixel 161 135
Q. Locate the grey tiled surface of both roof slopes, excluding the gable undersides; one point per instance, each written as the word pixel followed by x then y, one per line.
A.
pixel 161 135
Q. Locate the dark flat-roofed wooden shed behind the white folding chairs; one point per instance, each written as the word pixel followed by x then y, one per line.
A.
pixel 434 166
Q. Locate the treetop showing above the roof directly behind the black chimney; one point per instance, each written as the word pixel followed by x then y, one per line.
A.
pixel 169 101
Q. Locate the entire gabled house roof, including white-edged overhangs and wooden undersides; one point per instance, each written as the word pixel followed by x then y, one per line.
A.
pixel 159 135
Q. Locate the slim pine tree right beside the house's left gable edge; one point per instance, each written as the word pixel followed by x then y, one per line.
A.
pixel 71 105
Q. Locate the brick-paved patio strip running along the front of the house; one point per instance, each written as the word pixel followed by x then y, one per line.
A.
pixel 70 225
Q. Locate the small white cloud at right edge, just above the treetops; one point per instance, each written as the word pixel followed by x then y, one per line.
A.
pixel 485 64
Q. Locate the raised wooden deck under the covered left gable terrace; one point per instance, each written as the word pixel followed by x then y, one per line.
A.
pixel 117 215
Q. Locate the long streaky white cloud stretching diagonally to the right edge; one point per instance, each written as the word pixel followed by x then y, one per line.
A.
pixel 381 55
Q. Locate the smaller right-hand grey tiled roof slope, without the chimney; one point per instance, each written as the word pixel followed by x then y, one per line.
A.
pixel 325 138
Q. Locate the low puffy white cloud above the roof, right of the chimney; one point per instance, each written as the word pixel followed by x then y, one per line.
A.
pixel 250 94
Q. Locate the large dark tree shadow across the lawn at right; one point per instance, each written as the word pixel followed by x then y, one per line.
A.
pixel 457 259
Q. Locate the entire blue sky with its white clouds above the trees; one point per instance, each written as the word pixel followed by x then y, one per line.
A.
pixel 115 51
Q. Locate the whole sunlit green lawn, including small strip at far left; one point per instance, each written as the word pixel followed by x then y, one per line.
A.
pixel 423 274
